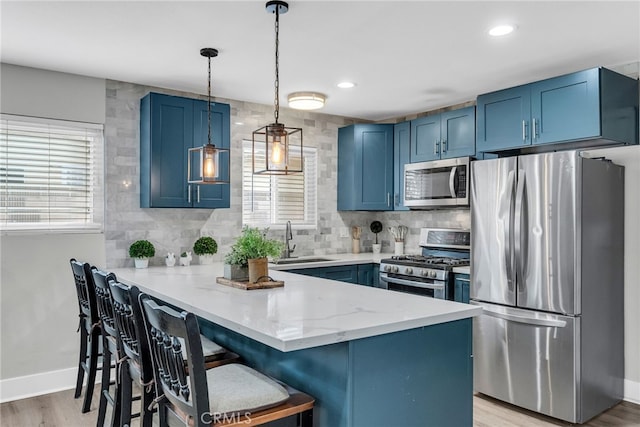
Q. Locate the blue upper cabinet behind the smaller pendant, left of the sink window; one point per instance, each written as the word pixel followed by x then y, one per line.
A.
pixel 169 126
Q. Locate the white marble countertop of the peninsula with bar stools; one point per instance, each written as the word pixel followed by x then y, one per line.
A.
pixel 306 312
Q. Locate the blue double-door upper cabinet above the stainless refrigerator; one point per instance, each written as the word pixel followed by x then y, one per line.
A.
pixel 595 104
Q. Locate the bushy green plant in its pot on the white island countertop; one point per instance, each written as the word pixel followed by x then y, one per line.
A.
pixel 252 248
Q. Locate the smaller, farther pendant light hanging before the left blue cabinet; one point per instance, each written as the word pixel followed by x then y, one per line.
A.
pixel 208 164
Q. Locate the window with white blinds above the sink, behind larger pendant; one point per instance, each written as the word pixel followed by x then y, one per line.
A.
pixel 272 200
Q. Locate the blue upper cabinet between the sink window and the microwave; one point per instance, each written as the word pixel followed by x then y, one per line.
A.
pixel 365 167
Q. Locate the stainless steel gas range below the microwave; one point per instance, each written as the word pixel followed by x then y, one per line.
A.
pixel 428 274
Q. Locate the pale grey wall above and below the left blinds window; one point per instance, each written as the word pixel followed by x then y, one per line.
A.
pixel 38 304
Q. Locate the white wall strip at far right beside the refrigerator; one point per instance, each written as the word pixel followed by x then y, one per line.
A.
pixel 630 157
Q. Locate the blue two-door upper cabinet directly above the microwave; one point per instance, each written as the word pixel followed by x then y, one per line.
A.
pixel 443 136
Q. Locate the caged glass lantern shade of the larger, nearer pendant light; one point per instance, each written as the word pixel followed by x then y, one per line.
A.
pixel 277 150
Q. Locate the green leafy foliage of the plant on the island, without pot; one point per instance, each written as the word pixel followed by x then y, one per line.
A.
pixel 253 243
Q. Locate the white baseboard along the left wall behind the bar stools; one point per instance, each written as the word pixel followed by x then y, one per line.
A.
pixel 38 384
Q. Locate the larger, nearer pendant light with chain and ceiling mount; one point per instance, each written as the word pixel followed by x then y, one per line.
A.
pixel 283 145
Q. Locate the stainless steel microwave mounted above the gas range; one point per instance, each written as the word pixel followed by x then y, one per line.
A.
pixel 440 183
